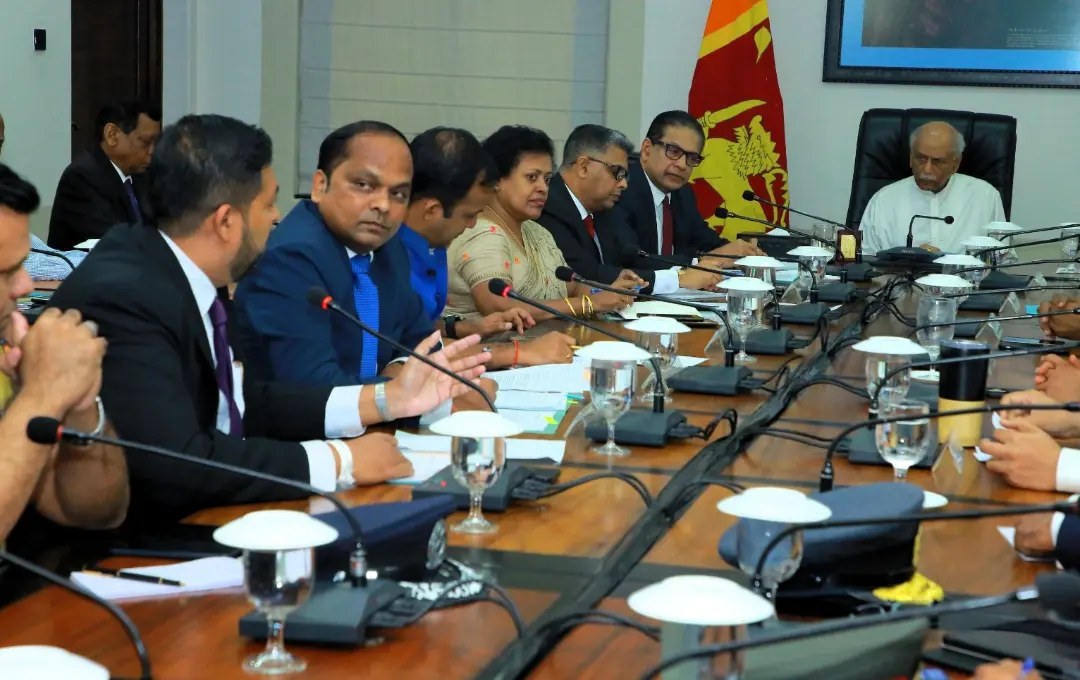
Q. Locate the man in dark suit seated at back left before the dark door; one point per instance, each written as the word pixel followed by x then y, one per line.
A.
pixel 105 186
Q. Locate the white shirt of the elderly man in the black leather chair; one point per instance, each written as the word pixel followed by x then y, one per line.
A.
pixel 973 203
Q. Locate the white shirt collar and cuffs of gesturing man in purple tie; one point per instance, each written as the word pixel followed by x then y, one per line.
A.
pixel 343 407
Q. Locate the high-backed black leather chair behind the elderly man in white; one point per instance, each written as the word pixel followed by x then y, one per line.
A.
pixel 884 149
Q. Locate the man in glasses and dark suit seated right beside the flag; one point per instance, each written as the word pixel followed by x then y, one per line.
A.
pixel 659 206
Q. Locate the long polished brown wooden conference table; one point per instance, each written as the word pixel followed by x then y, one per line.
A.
pixel 588 548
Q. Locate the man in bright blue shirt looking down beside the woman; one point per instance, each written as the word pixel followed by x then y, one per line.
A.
pixel 452 183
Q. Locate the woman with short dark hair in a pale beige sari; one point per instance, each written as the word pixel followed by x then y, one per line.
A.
pixel 507 243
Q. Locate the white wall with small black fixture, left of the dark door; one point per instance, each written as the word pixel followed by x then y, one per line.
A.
pixel 36 97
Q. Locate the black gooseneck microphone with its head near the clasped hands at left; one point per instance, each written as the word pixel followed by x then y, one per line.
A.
pixel 50 431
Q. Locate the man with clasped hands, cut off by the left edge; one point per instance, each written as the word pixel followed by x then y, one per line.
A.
pixel 53 370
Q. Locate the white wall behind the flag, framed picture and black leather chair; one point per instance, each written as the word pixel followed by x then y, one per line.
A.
pixel 822 119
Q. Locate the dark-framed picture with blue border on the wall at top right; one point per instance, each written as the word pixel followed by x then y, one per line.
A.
pixel 1022 44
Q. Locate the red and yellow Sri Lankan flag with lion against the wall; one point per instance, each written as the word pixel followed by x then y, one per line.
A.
pixel 736 98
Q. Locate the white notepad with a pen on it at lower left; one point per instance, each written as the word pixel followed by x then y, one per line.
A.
pixel 198 576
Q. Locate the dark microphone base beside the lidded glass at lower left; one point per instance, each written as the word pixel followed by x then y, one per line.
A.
pixel 336 614
